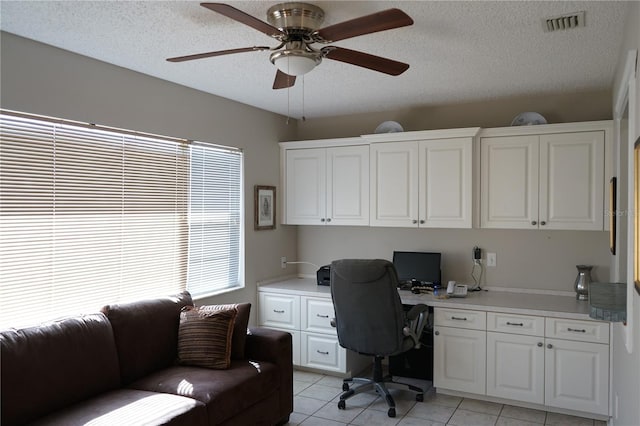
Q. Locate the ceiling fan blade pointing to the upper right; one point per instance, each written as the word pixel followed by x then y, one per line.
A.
pixel 380 21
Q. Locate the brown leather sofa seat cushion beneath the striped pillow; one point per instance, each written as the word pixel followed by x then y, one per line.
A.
pixel 226 393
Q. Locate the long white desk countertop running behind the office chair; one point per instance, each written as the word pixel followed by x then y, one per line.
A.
pixel 490 301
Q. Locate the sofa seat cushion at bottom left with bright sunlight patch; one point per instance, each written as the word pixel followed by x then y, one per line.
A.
pixel 130 407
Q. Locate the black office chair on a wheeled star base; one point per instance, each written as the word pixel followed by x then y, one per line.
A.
pixel 370 320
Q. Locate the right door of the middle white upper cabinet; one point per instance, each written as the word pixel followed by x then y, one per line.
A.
pixel 445 187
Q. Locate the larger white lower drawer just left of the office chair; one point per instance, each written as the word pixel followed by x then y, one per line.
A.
pixel 322 352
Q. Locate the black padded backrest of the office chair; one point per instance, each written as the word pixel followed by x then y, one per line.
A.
pixel 369 313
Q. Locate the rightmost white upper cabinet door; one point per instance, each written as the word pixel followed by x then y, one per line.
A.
pixel 571 181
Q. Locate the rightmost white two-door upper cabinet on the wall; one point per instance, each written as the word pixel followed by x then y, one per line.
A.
pixel 543 181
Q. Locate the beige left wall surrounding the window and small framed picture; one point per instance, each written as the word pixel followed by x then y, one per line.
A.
pixel 40 79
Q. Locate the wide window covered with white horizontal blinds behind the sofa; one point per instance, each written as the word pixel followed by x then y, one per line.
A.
pixel 91 216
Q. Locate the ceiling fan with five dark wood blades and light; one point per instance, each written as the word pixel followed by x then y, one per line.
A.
pixel 296 27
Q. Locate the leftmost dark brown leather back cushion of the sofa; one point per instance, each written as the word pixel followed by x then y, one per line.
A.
pixel 53 365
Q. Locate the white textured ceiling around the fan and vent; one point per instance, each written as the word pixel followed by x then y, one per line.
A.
pixel 459 51
